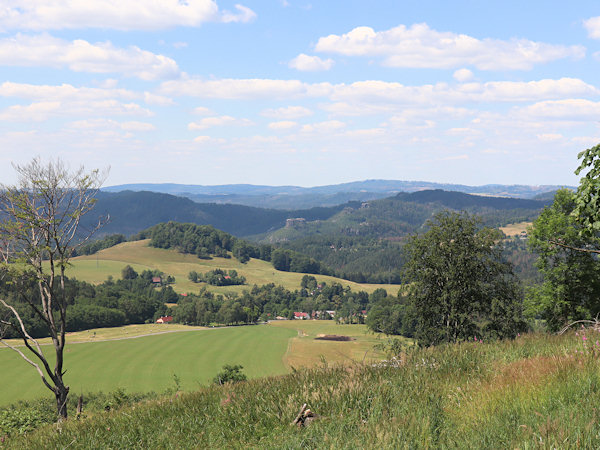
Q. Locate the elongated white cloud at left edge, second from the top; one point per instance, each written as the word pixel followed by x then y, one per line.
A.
pixel 81 56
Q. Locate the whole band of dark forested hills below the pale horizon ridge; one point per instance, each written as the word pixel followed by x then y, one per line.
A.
pixel 131 212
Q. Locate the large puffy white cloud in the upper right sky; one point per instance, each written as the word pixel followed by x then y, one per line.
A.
pixel 419 46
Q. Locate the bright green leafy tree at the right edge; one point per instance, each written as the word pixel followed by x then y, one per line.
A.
pixel 571 286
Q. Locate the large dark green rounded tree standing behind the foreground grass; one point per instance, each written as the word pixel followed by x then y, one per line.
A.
pixel 459 284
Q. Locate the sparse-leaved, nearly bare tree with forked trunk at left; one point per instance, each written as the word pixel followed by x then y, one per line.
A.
pixel 40 221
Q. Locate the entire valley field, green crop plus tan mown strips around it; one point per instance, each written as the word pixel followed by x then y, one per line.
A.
pixel 108 358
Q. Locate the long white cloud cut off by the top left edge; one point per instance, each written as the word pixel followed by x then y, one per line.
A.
pixel 115 14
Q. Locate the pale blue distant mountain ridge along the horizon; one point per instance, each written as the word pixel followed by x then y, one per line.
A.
pixel 296 197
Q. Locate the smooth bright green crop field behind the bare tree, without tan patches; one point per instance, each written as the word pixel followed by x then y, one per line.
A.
pixel 150 363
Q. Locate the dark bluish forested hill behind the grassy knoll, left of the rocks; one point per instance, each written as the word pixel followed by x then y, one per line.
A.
pixel 131 212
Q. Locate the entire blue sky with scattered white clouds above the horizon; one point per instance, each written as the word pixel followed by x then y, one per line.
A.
pixel 301 92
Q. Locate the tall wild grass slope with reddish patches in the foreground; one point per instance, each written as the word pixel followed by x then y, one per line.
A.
pixel 538 391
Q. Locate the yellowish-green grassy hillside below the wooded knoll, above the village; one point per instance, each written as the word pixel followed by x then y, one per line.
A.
pixel 96 268
